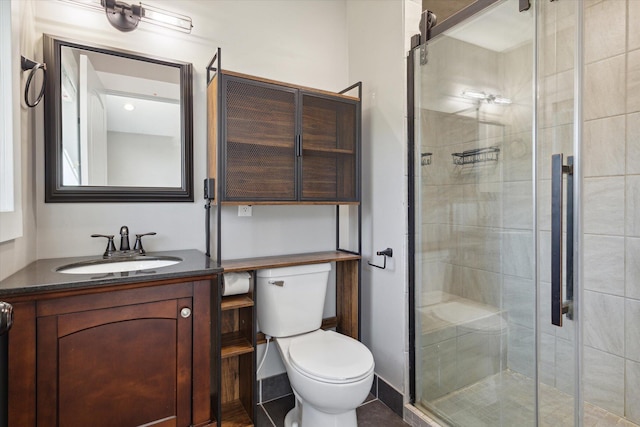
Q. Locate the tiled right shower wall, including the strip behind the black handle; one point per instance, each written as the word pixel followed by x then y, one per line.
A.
pixel 611 198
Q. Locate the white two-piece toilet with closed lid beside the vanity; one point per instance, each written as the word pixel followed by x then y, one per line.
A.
pixel 330 373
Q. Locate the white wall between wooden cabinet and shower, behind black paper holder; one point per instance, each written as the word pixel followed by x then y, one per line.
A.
pixel 377 57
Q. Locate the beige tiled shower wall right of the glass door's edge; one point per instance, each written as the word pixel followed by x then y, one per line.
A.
pixel 612 289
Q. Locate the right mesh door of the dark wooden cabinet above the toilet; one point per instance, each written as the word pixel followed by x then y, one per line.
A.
pixel 329 149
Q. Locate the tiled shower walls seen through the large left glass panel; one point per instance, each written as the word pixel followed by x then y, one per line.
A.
pixel 477 219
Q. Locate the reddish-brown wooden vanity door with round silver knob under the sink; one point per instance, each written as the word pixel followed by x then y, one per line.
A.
pixel 124 365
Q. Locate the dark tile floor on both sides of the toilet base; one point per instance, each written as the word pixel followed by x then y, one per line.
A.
pixel 372 413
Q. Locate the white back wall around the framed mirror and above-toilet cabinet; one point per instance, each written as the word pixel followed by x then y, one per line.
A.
pixel 298 42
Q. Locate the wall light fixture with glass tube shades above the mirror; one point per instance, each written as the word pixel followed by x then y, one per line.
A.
pixel 125 17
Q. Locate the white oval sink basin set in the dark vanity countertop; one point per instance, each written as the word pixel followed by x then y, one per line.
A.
pixel 103 266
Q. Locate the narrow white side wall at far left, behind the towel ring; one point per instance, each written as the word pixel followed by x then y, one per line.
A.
pixel 16 253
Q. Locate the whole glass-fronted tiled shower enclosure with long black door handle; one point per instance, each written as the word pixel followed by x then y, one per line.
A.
pixel 525 215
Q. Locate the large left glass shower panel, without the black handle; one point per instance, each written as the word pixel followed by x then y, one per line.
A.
pixel 475 222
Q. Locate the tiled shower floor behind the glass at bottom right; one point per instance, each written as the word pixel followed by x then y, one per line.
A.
pixel 506 399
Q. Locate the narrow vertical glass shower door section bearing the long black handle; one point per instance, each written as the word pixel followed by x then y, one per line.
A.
pixel 557 216
